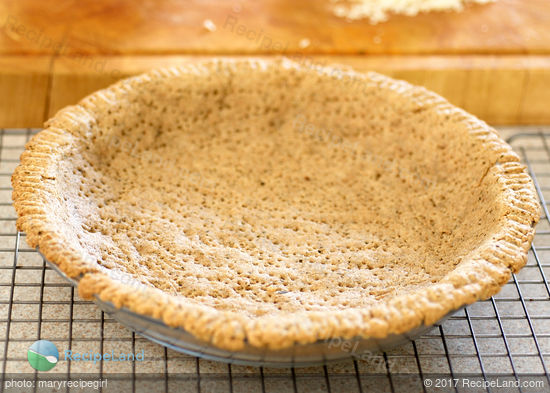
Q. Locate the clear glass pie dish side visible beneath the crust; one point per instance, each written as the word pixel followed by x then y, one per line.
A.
pixel 299 355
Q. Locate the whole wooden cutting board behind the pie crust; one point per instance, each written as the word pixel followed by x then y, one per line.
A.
pixel 493 60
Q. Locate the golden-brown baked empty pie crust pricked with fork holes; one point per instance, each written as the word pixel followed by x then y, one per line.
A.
pixel 268 203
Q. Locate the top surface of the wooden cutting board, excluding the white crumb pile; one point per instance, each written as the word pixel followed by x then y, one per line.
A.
pixel 267 26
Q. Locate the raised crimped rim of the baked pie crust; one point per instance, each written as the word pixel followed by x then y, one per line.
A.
pixel 45 215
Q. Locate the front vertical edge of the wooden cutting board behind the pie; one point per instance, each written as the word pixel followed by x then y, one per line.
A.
pixel 498 89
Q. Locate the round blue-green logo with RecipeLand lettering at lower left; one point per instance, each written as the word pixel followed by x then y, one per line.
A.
pixel 43 356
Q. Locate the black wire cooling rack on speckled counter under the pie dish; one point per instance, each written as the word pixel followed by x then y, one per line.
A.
pixel 507 336
